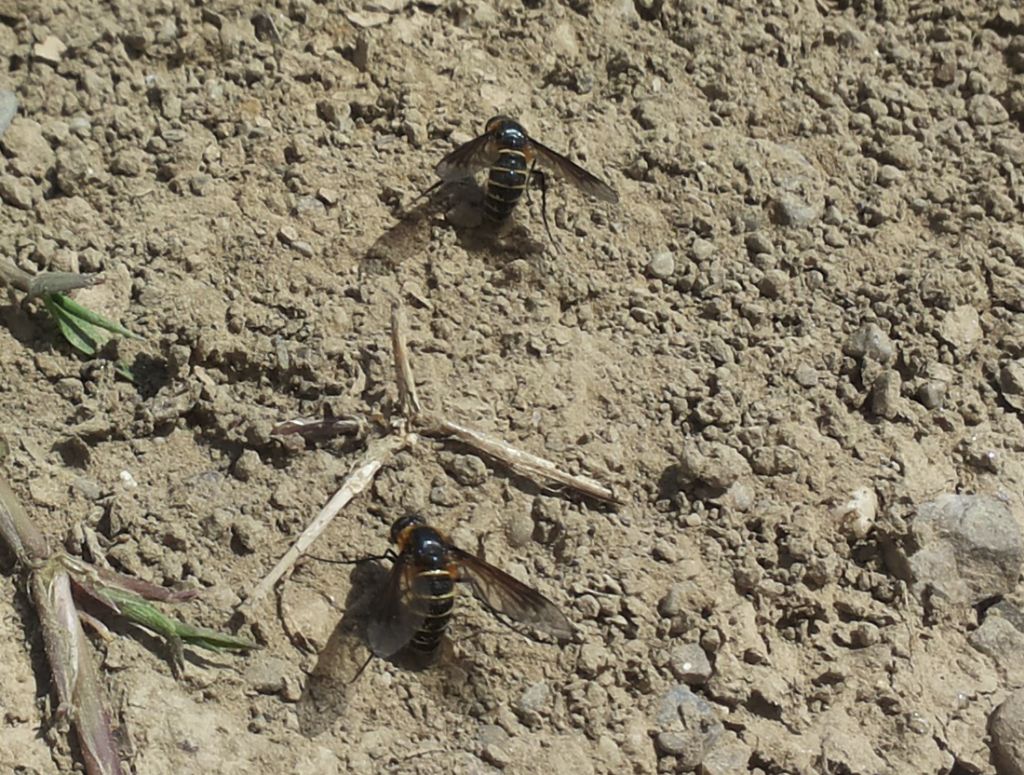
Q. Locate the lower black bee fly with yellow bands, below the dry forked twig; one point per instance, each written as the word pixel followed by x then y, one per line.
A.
pixel 416 606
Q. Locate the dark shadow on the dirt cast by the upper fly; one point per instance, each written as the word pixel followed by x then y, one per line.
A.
pixel 456 205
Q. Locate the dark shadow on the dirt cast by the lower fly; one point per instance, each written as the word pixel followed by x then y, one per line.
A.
pixel 336 678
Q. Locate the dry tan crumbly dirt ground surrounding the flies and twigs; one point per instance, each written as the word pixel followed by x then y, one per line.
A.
pixel 813 286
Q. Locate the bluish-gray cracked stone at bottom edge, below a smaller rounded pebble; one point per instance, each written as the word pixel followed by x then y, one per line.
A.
pixel 687 726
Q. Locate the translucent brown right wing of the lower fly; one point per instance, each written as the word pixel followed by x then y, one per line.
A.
pixel 502 593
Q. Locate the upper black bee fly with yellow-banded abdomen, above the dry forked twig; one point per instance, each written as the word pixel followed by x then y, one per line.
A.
pixel 511 158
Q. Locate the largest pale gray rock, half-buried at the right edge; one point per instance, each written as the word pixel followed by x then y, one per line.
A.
pixel 968 549
